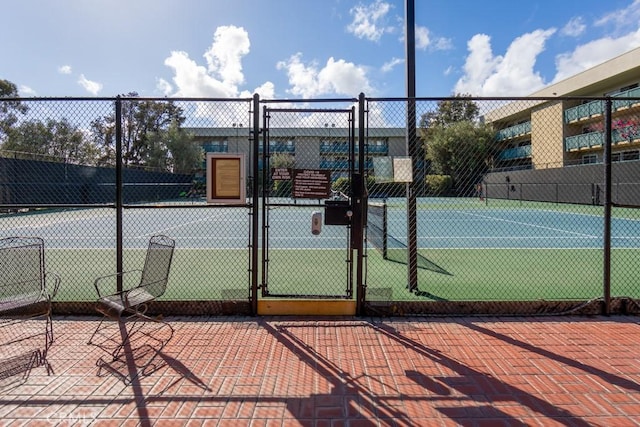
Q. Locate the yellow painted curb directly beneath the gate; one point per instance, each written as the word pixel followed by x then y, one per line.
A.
pixel 316 307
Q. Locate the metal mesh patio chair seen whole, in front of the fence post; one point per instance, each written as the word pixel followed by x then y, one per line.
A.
pixel 139 288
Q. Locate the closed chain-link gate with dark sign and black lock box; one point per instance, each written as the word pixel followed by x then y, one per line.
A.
pixel 308 162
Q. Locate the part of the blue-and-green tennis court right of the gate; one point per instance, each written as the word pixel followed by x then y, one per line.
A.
pixel 507 250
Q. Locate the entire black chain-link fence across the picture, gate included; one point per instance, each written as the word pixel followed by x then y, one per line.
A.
pixel 493 206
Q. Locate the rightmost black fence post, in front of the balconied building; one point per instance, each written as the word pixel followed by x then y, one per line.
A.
pixel 607 208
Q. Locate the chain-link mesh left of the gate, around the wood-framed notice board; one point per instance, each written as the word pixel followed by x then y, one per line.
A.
pixel 59 181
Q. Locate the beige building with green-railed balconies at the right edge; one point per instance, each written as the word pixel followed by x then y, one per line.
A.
pixel 548 134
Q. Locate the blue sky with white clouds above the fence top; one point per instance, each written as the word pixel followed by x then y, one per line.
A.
pixel 304 49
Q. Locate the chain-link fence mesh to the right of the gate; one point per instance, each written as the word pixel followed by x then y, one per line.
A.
pixel 510 214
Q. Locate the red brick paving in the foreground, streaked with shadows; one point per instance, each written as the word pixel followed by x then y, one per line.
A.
pixel 279 371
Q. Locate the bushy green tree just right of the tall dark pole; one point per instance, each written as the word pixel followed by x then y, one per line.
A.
pixel 457 144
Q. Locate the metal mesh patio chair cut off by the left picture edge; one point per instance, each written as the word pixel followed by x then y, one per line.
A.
pixel 26 292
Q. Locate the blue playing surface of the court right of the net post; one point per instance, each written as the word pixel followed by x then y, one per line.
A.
pixel 512 228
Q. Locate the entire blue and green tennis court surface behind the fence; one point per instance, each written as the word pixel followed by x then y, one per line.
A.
pixel 468 250
